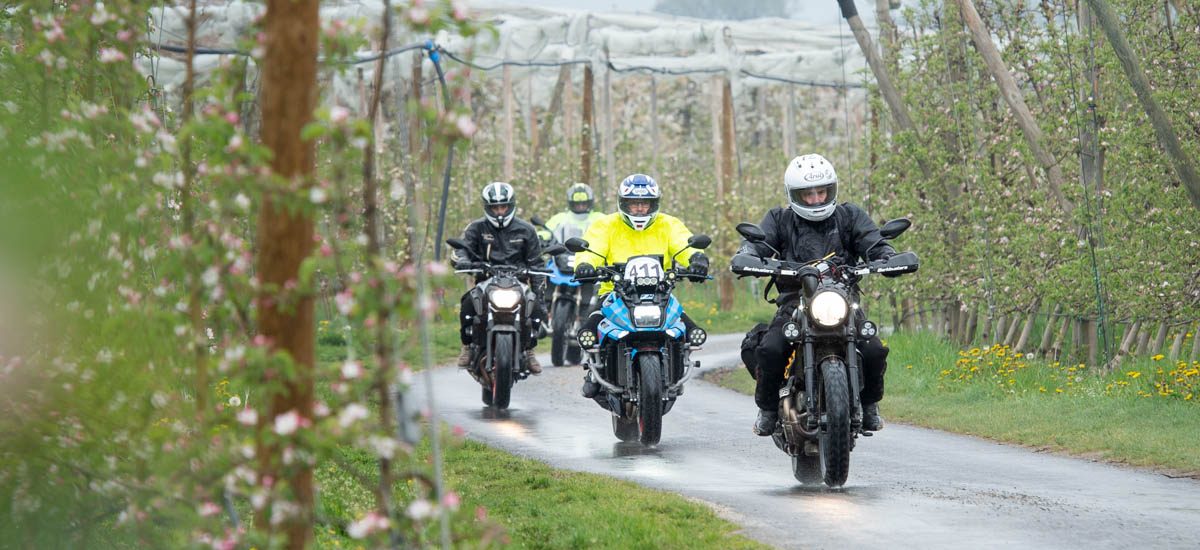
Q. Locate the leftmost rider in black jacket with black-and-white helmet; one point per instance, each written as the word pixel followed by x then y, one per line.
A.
pixel 501 238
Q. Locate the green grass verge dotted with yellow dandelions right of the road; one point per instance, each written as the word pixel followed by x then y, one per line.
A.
pixel 1120 417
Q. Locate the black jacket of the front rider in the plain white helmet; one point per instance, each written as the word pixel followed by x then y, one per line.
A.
pixel 849 234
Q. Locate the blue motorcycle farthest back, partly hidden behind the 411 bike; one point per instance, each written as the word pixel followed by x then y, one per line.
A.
pixel 567 304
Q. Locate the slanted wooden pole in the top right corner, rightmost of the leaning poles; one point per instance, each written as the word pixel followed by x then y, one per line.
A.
pixel 1163 130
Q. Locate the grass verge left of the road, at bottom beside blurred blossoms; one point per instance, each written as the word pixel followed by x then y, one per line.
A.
pixel 529 505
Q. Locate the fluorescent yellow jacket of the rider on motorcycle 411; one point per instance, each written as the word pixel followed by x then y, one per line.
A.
pixel 611 237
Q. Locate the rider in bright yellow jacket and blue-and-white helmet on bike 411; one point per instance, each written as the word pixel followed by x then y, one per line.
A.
pixel 637 229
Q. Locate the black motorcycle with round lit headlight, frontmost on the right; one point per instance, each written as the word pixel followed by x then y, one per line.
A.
pixel 820 415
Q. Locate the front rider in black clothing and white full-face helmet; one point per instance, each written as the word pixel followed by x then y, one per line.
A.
pixel 813 226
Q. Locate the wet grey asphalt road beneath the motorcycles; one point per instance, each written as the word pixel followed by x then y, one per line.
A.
pixel 908 487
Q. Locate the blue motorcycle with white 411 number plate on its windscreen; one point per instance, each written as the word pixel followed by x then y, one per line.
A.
pixel 641 352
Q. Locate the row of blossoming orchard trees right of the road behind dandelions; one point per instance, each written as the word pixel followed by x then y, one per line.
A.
pixel 1033 234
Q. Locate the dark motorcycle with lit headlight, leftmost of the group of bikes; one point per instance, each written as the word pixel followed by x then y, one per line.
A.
pixel 508 306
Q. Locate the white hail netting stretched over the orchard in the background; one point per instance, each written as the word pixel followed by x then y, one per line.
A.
pixel 783 49
